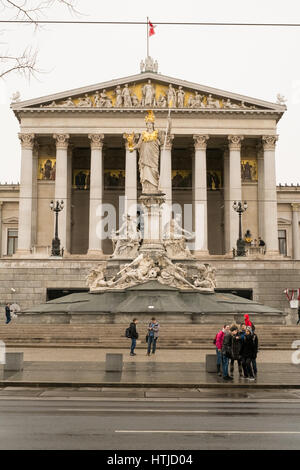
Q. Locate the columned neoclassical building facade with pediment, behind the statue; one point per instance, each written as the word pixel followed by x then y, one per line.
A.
pixel 220 148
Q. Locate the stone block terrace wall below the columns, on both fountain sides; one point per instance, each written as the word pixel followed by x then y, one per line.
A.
pixel 31 278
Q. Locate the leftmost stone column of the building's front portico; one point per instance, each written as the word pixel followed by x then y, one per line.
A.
pixel 25 235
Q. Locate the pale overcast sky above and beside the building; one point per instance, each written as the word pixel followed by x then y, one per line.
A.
pixel 258 62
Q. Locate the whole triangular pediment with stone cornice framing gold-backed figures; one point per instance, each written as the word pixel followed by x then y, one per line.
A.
pixel 149 90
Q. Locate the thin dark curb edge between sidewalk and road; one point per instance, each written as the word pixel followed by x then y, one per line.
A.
pixel 39 384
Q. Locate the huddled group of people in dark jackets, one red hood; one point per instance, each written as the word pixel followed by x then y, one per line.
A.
pixel 237 344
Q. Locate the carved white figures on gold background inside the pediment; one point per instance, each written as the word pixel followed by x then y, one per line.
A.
pixel 150 95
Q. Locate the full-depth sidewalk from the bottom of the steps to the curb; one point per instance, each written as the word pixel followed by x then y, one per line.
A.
pixel 56 368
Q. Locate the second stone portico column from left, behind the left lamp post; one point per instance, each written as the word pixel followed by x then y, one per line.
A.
pixel 62 189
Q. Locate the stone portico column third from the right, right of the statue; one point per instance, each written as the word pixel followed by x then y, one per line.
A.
pixel 200 195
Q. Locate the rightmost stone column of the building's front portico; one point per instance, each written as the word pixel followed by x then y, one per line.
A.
pixel 270 196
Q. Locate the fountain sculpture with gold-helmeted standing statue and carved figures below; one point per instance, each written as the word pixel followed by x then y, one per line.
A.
pixel 152 257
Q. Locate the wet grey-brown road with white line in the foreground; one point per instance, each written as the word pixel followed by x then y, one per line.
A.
pixel 59 420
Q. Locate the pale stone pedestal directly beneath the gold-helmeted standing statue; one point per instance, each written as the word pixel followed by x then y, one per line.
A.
pixel 152 210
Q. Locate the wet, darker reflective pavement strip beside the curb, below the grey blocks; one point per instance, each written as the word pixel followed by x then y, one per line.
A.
pixel 147 374
